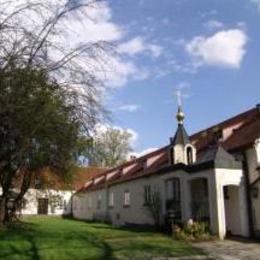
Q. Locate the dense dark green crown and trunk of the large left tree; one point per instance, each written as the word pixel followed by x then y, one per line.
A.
pixel 39 128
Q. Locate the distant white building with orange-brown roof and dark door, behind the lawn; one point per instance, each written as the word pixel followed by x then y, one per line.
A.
pixel 49 195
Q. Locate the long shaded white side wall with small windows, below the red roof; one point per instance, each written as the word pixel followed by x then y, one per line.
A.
pixel 136 213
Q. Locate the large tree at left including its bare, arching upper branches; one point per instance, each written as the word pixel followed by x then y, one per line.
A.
pixel 49 95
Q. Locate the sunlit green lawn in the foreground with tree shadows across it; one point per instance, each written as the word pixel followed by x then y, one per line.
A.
pixel 56 238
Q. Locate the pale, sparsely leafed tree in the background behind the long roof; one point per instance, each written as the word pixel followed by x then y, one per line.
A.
pixel 110 147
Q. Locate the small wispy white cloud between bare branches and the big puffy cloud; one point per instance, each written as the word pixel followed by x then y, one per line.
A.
pixel 138 45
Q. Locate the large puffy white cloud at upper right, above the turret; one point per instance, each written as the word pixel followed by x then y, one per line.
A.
pixel 225 48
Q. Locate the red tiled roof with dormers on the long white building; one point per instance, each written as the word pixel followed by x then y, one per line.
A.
pixel 236 133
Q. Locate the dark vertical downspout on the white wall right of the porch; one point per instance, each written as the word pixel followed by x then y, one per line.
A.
pixel 248 196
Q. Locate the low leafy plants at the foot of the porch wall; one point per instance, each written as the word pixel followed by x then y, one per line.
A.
pixel 196 231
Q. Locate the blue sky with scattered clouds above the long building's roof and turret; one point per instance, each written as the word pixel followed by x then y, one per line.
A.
pixel 210 49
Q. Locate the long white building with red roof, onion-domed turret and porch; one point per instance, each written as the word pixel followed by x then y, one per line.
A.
pixel 210 176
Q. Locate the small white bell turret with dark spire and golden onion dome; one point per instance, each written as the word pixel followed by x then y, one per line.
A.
pixel 181 149
